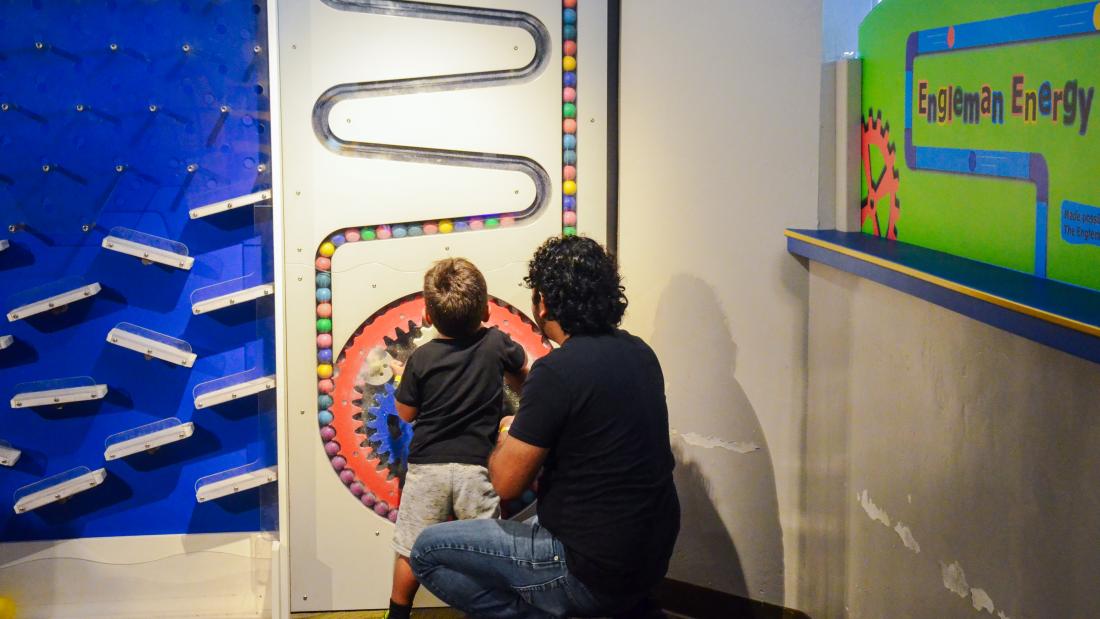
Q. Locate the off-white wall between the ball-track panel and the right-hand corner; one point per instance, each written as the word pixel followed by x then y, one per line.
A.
pixel 720 140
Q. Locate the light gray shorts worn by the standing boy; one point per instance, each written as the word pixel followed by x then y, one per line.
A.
pixel 434 493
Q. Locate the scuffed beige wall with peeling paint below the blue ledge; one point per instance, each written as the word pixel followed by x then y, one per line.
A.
pixel 977 447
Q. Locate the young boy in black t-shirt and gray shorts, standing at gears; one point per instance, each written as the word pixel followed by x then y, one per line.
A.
pixel 453 388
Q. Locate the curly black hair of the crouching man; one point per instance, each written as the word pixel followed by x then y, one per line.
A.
pixel 580 285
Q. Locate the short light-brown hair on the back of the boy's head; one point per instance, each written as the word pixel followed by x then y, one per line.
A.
pixel 456 296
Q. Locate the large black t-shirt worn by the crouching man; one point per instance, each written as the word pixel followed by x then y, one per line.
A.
pixel 607 492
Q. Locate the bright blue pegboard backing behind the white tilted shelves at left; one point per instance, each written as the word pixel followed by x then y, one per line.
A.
pixel 129 114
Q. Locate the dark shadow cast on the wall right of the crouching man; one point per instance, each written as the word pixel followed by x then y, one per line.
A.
pixel 730 538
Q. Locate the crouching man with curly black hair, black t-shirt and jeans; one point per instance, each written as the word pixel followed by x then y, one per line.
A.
pixel 593 418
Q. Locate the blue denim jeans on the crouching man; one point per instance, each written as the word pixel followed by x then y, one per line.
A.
pixel 504 569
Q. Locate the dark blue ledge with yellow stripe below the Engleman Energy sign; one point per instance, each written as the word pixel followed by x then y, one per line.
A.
pixel 1058 315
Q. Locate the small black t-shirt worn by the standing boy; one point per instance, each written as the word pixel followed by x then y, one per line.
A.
pixel 458 388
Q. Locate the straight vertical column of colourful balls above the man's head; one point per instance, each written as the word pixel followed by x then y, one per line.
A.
pixel 569 119
